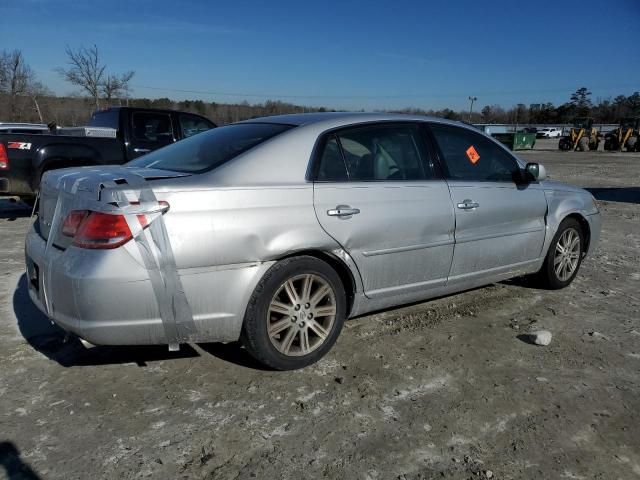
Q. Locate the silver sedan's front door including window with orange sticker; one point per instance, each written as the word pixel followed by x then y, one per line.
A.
pixel 500 223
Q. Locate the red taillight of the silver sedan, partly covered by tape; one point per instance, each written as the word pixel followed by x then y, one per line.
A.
pixel 99 230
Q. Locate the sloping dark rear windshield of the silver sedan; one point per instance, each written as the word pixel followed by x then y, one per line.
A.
pixel 208 150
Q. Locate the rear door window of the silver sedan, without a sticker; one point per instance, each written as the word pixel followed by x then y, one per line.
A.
pixel 375 153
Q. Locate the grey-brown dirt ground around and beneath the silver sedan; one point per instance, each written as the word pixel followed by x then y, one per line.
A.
pixel 443 389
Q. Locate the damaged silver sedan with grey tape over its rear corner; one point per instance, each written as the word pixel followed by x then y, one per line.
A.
pixel 275 230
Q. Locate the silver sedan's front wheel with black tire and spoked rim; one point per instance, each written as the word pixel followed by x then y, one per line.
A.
pixel 553 275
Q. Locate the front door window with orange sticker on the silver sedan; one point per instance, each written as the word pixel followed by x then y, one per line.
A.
pixel 471 156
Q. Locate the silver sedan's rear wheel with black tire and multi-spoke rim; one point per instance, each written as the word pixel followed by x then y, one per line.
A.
pixel 283 287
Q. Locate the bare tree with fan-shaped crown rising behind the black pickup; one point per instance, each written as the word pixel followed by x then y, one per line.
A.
pixel 85 70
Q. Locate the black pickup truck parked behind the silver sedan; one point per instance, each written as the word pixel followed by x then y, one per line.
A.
pixel 124 133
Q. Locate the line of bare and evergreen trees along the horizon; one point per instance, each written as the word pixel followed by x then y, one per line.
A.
pixel 24 99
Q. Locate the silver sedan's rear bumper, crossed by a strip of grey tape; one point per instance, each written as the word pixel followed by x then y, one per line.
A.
pixel 106 297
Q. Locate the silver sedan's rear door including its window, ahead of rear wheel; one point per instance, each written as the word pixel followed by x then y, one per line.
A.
pixel 379 195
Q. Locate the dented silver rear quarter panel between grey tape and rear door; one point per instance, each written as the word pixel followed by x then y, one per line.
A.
pixel 227 226
